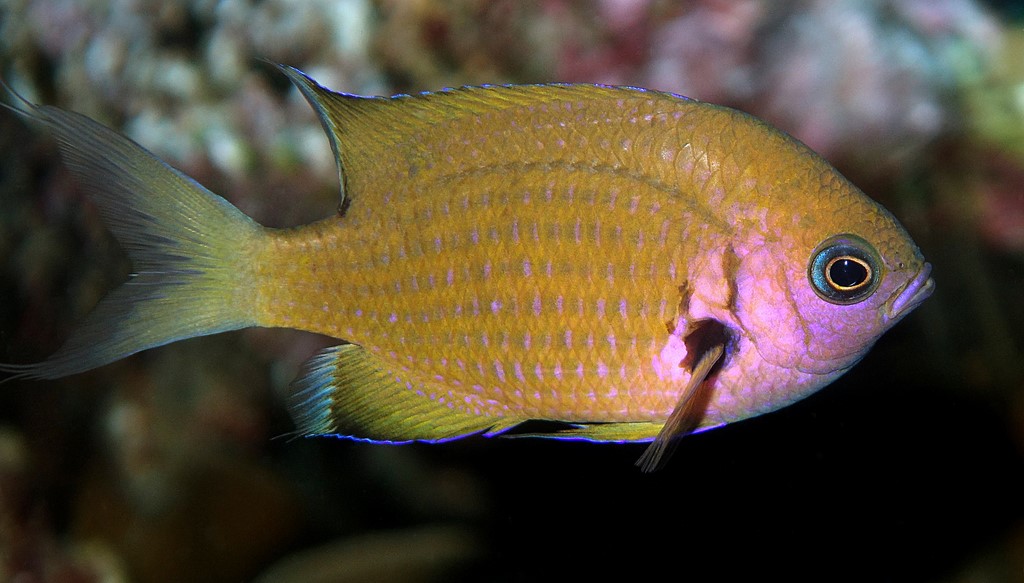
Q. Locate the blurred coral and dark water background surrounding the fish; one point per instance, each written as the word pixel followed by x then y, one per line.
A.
pixel 177 466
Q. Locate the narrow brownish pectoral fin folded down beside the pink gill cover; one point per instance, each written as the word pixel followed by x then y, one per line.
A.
pixel 707 344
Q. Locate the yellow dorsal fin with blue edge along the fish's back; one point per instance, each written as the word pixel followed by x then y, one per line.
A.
pixel 389 139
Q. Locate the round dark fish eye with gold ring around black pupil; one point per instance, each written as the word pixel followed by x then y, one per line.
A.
pixel 845 270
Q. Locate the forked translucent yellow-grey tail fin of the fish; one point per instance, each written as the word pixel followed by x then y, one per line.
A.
pixel 190 251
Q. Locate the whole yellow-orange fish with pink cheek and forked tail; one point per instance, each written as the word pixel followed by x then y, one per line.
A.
pixel 622 265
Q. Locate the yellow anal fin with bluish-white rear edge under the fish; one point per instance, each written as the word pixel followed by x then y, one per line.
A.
pixel 347 391
